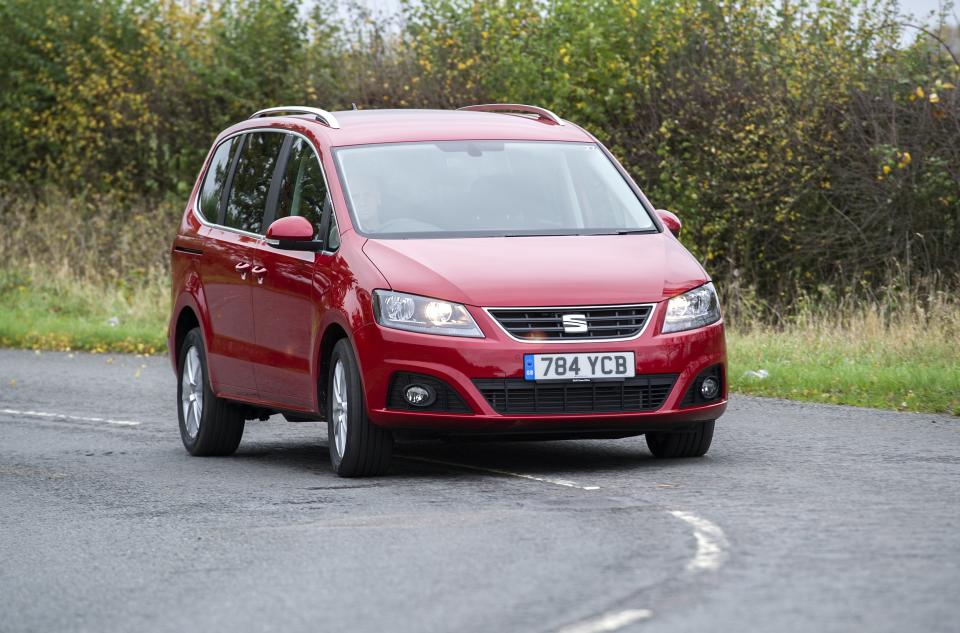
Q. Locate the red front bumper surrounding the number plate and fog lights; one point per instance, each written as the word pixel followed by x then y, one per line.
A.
pixel 458 361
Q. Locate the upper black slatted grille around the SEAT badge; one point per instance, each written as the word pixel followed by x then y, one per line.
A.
pixel 547 324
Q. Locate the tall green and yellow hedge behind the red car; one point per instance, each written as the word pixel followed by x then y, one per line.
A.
pixel 799 143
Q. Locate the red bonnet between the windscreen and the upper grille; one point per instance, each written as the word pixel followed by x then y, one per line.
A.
pixel 539 271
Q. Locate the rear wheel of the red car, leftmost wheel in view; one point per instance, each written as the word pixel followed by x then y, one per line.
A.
pixel 208 425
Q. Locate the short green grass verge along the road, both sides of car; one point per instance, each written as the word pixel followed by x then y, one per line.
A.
pixel 904 360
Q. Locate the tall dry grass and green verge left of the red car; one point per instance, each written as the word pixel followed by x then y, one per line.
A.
pixel 84 273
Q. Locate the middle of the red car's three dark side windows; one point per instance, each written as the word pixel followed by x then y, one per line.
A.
pixel 251 181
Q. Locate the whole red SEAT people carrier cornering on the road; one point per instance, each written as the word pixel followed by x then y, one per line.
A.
pixel 488 272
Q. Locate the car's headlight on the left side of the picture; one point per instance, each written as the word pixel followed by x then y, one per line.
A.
pixel 422 314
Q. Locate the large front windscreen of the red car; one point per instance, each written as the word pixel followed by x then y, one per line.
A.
pixel 487 188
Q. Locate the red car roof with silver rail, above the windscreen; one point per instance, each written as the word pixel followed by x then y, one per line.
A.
pixel 364 127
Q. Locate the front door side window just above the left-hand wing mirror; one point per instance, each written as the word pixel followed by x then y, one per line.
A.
pixel 303 191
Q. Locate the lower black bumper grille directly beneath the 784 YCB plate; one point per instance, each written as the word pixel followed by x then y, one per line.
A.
pixel 516 395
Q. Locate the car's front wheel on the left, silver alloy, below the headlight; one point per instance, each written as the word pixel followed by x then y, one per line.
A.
pixel 357 447
